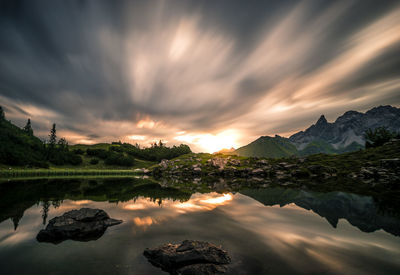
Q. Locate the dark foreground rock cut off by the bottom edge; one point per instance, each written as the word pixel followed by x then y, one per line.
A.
pixel 189 257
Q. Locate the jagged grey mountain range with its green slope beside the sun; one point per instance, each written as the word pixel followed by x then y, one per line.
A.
pixel 343 135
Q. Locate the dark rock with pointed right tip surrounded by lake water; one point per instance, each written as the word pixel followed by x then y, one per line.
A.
pixel 85 224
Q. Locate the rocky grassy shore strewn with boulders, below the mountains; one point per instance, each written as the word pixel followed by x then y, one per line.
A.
pixel 372 167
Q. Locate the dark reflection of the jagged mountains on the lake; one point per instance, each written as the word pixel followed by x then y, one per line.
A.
pixel 360 211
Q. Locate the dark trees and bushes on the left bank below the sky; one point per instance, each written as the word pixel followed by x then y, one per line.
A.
pixel 20 147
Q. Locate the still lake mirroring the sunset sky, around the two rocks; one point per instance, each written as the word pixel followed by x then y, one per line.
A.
pixel 265 231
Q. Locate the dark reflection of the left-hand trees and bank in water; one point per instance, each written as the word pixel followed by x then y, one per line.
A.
pixel 17 196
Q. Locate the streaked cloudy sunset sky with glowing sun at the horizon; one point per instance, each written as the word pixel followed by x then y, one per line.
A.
pixel 210 74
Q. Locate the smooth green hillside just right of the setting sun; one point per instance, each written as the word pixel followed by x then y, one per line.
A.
pixel 273 147
